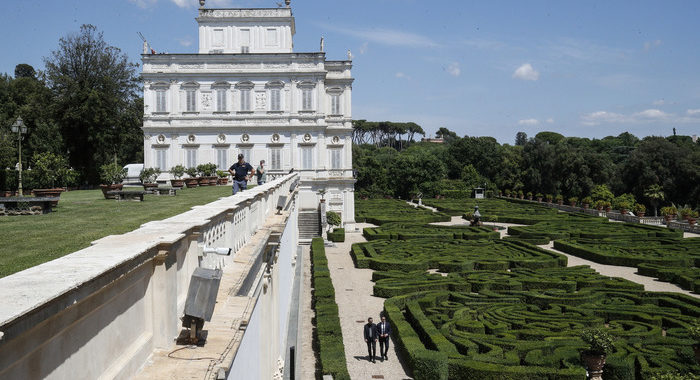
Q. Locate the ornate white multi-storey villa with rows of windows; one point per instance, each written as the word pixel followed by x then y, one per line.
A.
pixel 246 91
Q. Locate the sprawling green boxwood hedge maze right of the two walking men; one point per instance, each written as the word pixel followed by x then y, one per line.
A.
pixel 506 309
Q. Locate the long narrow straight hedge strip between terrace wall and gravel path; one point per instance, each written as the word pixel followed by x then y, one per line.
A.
pixel 328 337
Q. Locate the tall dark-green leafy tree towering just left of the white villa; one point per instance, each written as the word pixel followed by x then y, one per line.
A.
pixel 94 86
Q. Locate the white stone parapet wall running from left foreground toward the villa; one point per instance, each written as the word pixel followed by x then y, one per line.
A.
pixel 101 311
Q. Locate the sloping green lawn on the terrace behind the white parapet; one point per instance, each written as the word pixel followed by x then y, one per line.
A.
pixel 84 216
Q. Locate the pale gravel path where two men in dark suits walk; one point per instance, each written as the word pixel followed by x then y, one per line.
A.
pixel 353 293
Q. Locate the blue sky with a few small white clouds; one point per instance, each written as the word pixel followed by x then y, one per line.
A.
pixel 591 69
